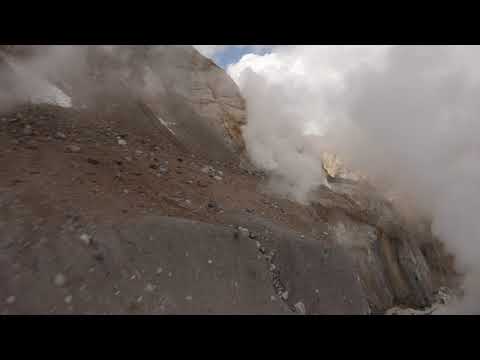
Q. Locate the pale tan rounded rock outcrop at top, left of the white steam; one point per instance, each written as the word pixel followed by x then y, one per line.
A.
pixel 206 93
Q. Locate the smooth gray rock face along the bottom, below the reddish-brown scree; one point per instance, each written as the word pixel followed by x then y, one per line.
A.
pixel 205 269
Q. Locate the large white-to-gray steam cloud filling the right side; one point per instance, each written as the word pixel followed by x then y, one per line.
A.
pixel 405 115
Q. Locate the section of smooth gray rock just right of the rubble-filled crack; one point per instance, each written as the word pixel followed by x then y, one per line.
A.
pixel 319 274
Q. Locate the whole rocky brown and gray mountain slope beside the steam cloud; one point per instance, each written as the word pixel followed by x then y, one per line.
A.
pixel 137 197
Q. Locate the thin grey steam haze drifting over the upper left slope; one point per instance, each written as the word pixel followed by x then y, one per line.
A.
pixel 36 72
